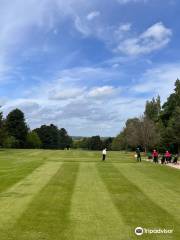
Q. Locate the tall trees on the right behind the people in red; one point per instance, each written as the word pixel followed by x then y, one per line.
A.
pixel 158 127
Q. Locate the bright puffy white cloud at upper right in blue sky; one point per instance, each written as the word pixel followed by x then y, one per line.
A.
pixel 154 38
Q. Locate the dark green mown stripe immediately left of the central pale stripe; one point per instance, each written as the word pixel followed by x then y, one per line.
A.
pixel 47 216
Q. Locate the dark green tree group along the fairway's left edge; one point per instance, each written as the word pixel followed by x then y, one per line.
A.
pixel 15 133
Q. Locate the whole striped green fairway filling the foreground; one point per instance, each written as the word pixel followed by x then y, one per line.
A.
pixel 73 195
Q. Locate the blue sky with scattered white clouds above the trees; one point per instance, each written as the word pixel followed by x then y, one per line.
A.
pixel 87 66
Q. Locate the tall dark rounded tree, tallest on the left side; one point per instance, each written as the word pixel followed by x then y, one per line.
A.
pixel 16 127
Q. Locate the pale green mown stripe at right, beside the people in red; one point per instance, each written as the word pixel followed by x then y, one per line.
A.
pixel 154 187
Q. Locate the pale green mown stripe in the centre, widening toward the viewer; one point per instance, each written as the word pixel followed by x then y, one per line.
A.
pixel 93 214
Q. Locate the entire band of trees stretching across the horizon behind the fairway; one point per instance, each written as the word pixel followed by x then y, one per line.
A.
pixel 158 127
